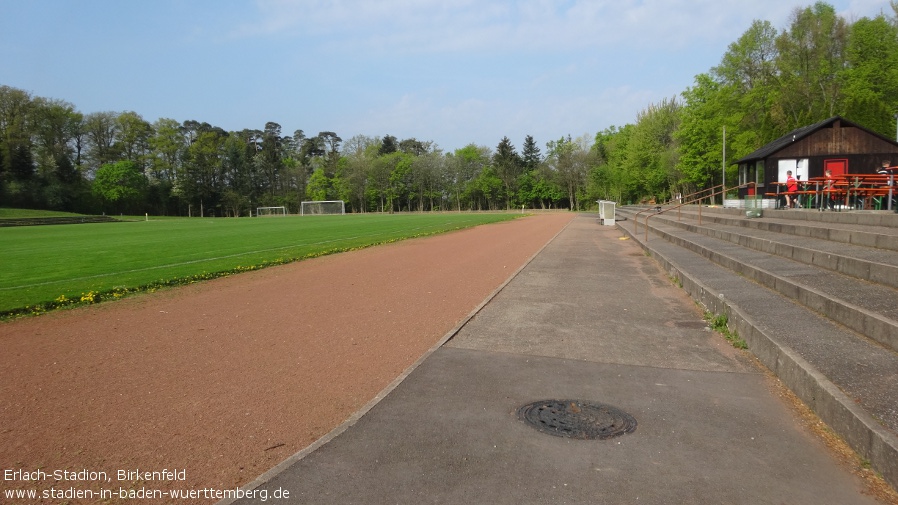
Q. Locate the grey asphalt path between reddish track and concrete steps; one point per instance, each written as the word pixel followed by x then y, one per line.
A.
pixel 589 319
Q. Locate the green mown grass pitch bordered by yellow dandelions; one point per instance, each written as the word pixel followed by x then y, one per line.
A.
pixel 44 267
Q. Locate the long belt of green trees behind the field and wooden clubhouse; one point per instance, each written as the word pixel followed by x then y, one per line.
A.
pixel 768 83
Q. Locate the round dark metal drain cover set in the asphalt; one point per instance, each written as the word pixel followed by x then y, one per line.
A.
pixel 577 419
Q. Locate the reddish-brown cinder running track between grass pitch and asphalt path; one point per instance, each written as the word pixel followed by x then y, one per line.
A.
pixel 227 378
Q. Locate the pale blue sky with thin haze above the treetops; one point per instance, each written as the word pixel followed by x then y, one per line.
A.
pixel 453 72
